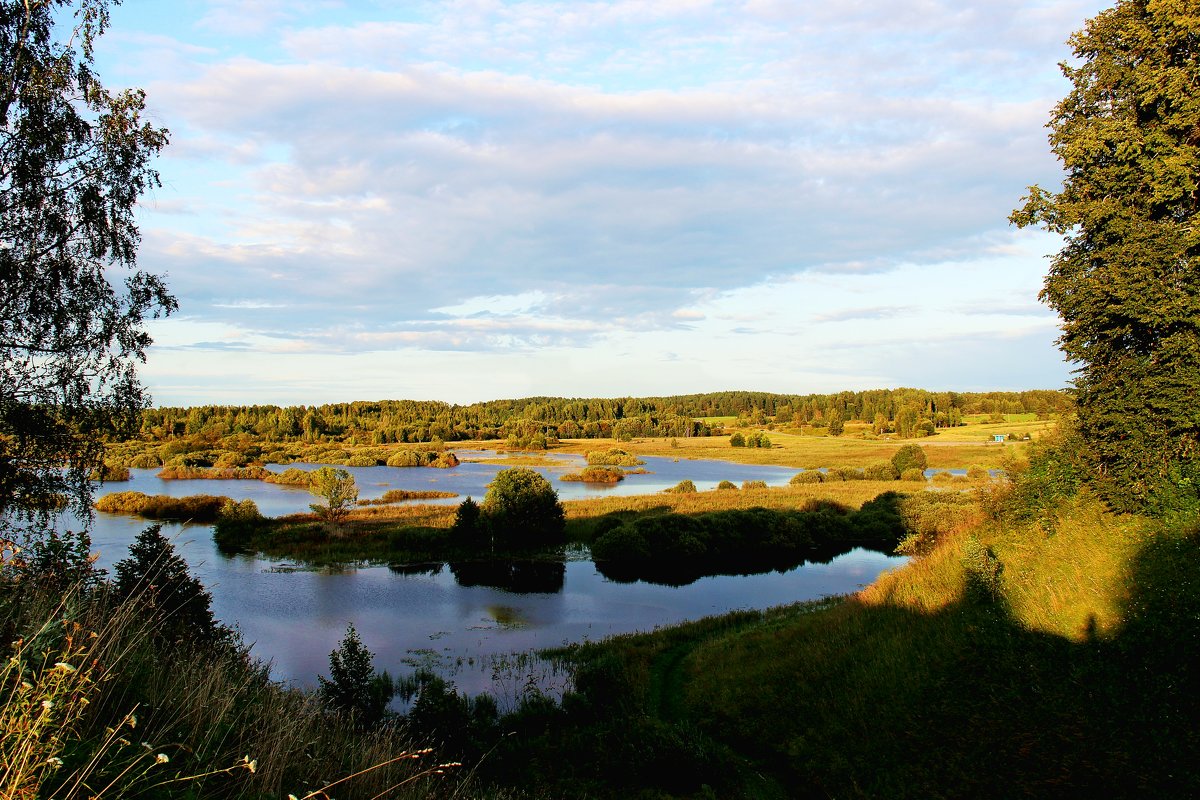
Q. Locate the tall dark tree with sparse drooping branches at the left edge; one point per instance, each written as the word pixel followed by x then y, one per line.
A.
pixel 74 161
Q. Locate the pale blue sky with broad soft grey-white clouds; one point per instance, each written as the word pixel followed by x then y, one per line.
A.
pixel 483 200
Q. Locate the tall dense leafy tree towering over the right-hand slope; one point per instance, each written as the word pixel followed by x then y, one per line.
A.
pixel 1127 280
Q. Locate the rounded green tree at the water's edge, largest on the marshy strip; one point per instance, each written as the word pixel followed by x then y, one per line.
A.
pixel 524 510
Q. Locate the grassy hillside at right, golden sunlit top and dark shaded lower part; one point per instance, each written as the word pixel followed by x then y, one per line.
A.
pixel 1067 681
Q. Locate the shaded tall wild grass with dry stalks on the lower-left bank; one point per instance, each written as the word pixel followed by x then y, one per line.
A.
pixel 95 707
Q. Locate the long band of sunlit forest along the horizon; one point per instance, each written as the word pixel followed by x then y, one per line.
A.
pixel 532 422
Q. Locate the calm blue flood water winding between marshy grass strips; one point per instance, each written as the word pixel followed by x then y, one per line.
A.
pixel 295 618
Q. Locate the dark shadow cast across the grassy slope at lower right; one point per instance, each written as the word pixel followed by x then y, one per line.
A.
pixel 869 701
